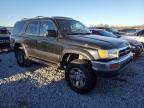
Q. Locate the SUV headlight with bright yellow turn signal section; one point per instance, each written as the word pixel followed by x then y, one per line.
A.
pixel 108 54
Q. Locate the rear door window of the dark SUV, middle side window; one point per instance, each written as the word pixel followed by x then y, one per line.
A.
pixel 32 28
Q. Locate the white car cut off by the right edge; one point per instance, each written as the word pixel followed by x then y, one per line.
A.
pixel 139 36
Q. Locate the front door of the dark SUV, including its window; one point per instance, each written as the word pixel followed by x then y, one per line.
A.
pixel 49 47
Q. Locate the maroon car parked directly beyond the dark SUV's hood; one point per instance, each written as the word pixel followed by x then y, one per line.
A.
pixel 136 47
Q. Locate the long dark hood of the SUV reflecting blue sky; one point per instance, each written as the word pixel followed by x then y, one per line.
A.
pixel 94 41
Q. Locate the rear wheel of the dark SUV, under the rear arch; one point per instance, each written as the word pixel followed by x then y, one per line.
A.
pixel 21 57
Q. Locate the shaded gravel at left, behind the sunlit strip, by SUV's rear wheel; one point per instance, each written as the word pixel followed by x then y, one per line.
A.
pixel 9 66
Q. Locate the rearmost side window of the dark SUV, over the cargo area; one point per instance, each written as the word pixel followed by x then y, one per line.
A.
pixel 18 28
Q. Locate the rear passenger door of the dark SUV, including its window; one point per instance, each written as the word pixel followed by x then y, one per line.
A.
pixel 30 34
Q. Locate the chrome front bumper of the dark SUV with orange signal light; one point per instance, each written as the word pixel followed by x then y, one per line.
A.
pixel 111 68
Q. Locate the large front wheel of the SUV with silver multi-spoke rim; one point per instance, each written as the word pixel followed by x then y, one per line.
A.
pixel 80 76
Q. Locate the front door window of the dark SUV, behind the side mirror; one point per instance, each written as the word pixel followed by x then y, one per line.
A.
pixel 46 25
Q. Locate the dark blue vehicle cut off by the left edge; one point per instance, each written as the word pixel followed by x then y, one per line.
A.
pixel 4 38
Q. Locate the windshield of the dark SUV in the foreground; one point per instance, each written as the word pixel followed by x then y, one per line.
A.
pixel 72 27
